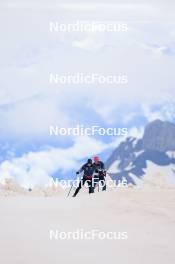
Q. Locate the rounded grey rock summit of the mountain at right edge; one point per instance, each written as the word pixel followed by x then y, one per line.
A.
pixel 159 136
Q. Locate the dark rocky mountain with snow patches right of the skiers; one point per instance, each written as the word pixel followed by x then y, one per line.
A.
pixel 133 154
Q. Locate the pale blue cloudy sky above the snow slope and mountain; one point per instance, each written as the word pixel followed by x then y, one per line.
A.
pixel 29 104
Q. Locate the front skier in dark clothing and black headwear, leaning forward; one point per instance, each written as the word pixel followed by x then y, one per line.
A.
pixel 88 170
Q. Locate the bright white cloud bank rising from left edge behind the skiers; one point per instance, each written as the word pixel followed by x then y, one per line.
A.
pixel 36 168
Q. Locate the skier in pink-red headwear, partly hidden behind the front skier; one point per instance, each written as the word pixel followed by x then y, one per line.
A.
pixel 100 173
